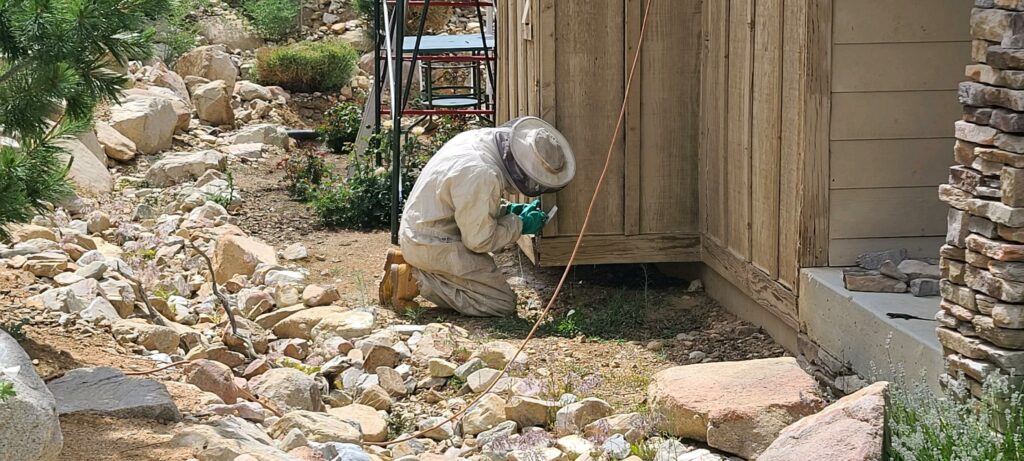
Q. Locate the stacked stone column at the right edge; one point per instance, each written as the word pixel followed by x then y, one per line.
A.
pixel 982 322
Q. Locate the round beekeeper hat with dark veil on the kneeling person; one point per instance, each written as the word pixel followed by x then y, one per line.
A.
pixel 537 157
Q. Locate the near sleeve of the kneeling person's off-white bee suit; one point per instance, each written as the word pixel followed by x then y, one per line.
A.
pixel 477 199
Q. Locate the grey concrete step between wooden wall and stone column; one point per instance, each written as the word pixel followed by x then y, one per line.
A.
pixel 854 327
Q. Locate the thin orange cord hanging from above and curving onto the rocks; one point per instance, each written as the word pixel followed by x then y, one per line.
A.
pixel 569 266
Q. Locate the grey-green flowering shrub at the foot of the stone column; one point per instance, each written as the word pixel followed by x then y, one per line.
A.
pixel 956 427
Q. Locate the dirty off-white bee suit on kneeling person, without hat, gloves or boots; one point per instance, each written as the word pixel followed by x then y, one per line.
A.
pixel 453 219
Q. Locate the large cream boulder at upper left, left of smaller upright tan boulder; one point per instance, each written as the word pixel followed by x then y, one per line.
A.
pixel 148 120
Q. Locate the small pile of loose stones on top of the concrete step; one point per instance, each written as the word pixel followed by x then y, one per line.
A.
pixel 891 272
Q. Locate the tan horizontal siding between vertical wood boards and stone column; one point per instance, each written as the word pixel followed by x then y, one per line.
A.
pixel 897 66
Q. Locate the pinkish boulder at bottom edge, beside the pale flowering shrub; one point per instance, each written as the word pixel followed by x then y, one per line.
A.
pixel 850 430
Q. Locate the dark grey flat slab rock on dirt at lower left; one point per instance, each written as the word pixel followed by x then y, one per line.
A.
pixel 108 392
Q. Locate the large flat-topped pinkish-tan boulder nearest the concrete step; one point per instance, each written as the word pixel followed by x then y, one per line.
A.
pixel 738 407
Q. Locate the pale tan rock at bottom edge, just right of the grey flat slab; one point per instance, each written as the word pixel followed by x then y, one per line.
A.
pixel 229 439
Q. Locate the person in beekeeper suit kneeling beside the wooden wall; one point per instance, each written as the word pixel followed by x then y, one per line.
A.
pixel 455 217
